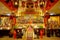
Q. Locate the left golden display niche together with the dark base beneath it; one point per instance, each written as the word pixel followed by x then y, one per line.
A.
pixel 5 26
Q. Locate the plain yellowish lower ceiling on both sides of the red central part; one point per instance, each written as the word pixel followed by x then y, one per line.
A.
pixel 54 9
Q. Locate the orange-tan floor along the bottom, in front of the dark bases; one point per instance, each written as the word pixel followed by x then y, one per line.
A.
pixel 44 38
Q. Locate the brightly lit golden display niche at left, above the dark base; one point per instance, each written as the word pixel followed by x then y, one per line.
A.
pixel 5 23
